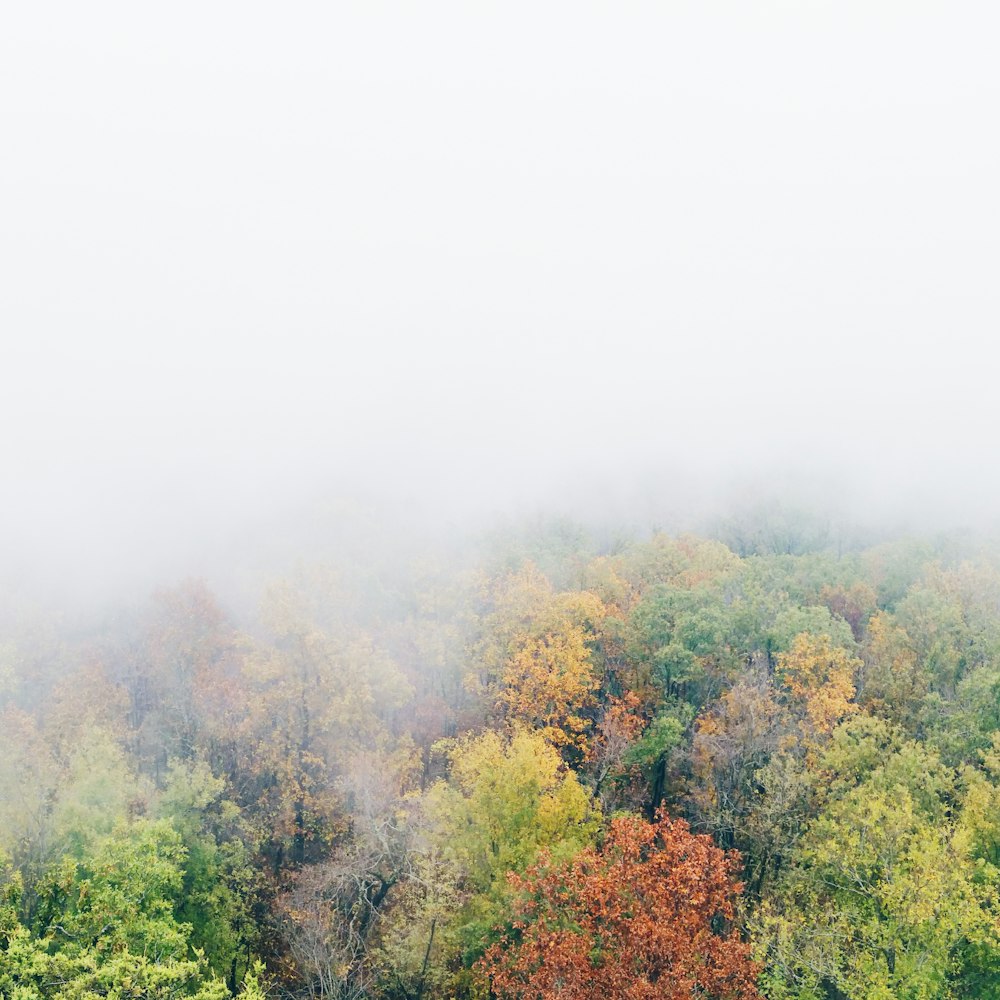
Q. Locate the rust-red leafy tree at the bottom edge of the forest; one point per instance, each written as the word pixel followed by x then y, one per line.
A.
pixel 648 917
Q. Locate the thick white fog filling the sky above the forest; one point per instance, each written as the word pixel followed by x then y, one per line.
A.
pixel 459 261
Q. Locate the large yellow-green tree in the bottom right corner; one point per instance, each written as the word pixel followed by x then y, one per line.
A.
pixel 885 896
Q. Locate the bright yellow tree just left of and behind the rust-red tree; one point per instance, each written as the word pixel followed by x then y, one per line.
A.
pixel 507 799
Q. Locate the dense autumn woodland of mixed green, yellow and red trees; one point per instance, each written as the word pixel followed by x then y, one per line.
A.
pixel 747 763
